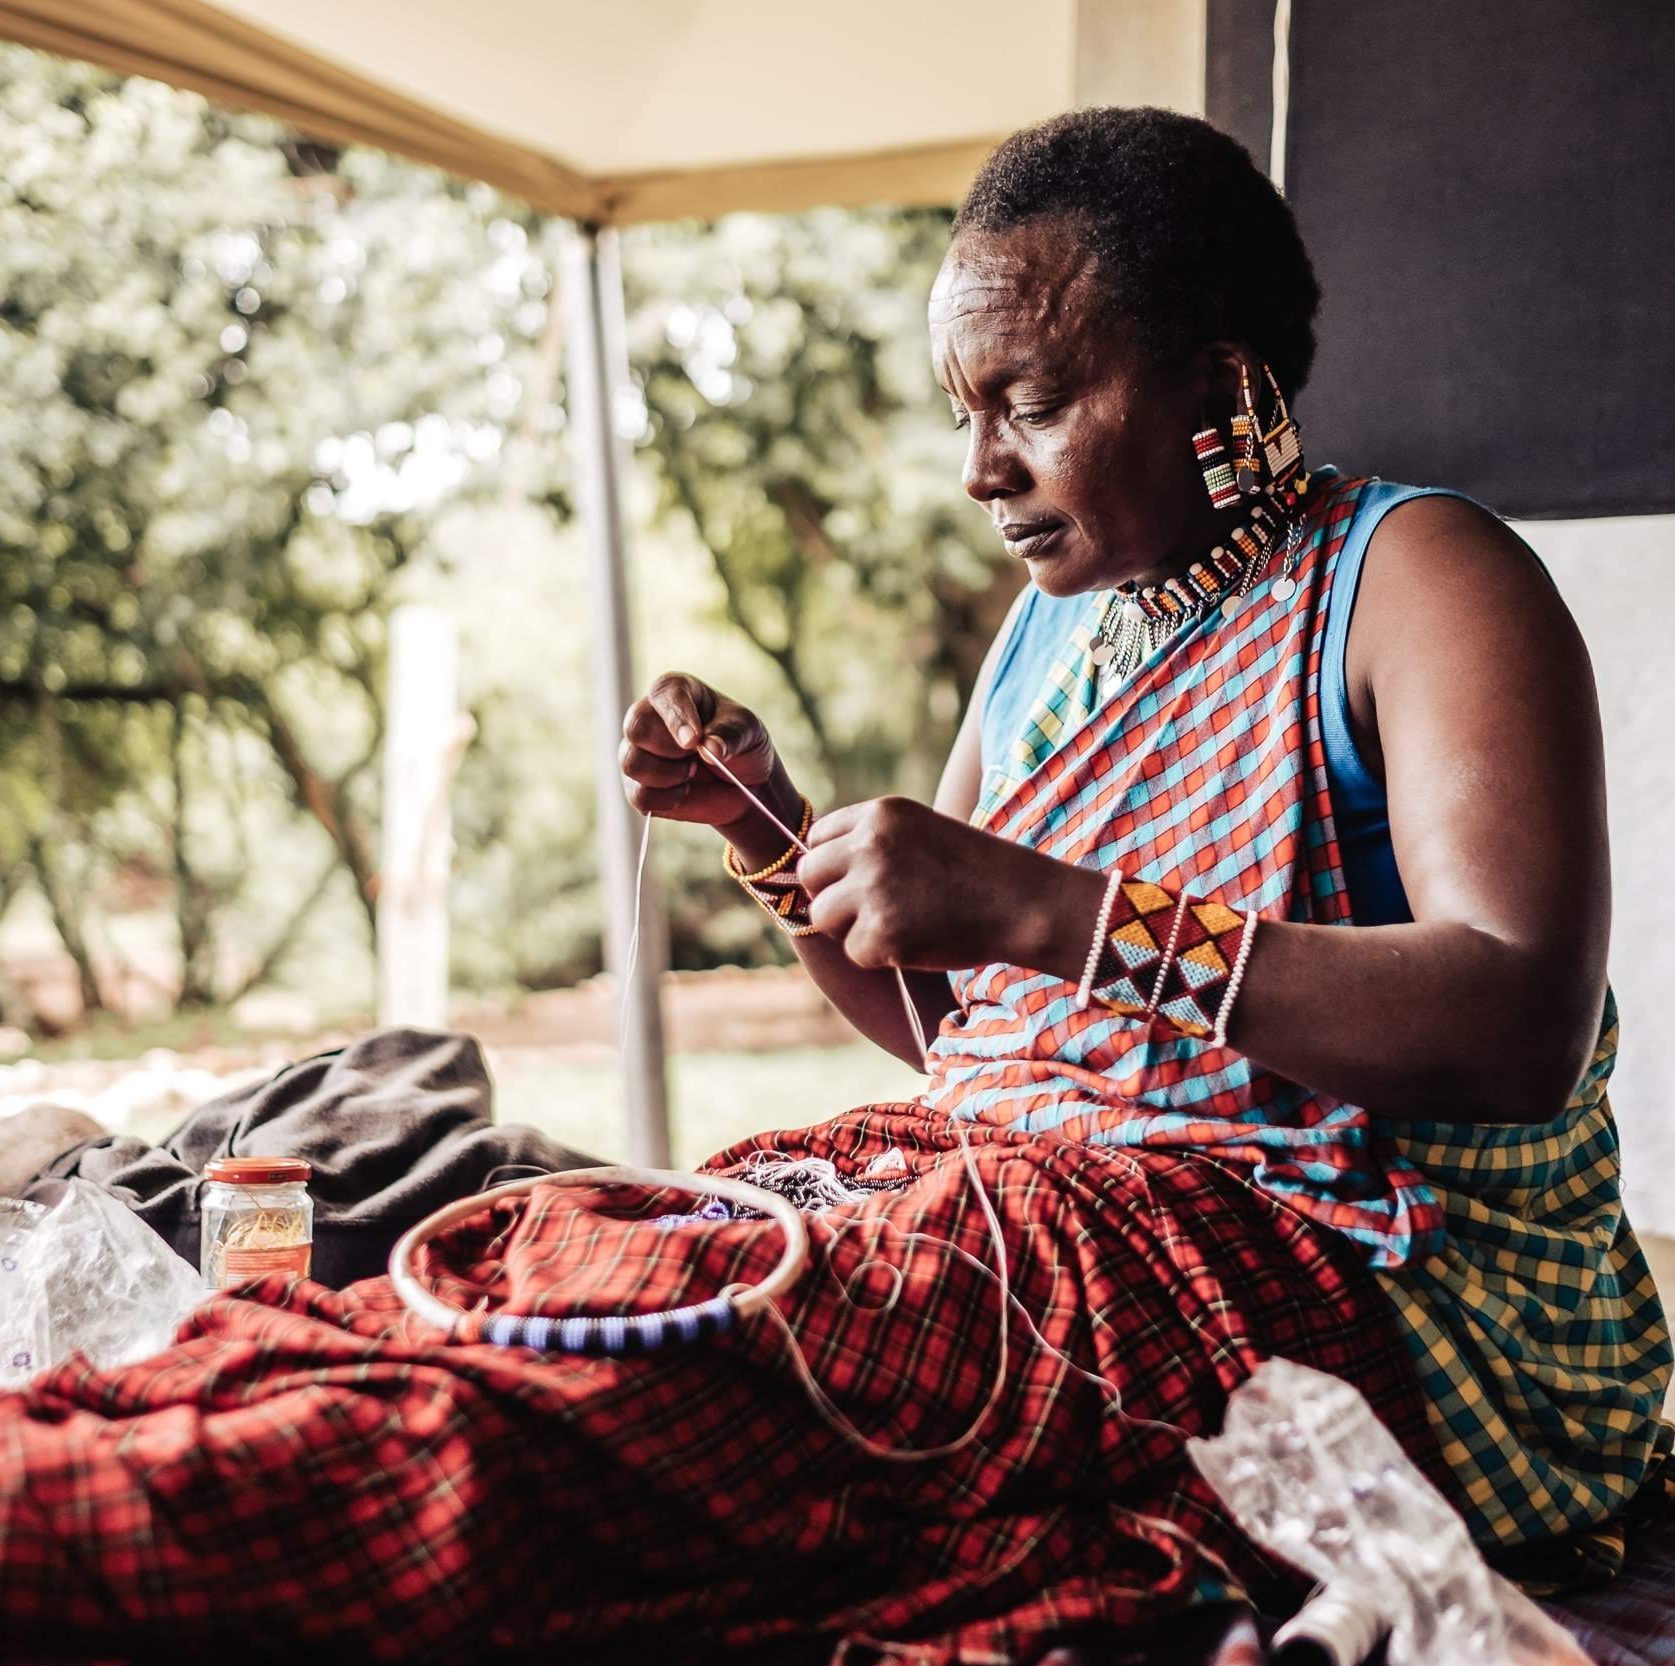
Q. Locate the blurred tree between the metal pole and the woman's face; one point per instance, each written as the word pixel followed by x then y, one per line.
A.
pixel 796 426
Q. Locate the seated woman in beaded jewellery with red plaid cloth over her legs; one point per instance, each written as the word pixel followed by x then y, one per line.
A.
pixel 1178 1119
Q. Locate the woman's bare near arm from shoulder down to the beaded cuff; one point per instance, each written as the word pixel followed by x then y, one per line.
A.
pixel 1471 694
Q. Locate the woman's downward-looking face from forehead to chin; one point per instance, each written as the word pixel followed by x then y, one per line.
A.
pixel 1080 448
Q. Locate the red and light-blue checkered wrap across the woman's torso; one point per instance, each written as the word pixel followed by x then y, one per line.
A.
pixel 1205 774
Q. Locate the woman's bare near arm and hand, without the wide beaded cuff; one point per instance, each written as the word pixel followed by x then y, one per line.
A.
pixel 1473 686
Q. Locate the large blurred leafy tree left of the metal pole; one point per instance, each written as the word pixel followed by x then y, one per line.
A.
pixel 232 388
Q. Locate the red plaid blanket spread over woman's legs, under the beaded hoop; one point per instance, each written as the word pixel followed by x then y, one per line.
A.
pixel 309 1468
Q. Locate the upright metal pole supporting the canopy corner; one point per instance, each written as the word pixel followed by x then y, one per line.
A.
pixel 595 369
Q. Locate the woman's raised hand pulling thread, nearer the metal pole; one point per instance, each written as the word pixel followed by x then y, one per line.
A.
pixel 666 776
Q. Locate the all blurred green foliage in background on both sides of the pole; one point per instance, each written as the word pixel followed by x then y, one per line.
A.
pixel 255 393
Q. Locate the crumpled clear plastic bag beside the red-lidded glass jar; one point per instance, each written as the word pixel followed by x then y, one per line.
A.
pixel 86 1277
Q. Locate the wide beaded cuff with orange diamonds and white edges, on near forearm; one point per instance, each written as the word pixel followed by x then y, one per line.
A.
pixel 1173 959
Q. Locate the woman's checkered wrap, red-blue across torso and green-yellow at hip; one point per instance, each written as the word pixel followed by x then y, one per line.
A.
pixel 1523 1295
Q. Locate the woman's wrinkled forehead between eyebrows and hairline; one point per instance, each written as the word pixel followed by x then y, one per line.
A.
pixel 1024 297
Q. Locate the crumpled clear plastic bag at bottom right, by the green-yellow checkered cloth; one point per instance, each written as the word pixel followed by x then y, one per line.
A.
pixel 1307 1469
